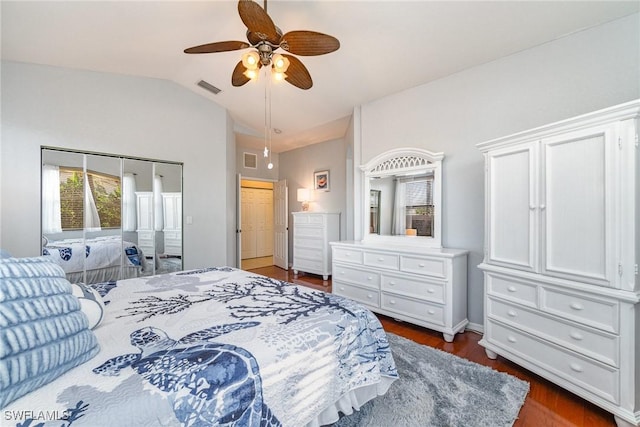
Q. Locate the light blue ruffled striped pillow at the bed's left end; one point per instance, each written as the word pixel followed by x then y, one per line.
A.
pixel 43 332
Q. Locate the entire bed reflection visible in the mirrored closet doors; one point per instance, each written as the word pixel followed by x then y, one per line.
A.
pixel 103 257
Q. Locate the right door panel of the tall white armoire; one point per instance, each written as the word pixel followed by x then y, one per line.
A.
pixel 576 205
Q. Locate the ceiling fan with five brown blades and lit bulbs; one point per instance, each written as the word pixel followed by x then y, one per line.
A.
pixel 266 38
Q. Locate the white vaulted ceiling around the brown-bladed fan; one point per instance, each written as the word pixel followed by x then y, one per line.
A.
pixel 386 47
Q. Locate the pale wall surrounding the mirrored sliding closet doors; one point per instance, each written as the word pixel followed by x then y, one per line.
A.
pixel 132 116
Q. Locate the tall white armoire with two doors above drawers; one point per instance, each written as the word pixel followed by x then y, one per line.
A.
pixel 562 248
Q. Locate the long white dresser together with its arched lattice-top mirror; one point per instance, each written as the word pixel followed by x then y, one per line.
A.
pixel 400 268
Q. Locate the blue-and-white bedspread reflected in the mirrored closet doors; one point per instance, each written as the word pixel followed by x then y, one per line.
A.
pixel 100 252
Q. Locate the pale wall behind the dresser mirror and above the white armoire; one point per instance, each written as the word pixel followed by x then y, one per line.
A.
pixel 577 74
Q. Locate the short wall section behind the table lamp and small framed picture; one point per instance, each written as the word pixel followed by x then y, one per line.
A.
pixel 297 167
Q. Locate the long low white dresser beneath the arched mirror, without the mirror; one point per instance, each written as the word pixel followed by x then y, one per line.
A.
pixel 427 287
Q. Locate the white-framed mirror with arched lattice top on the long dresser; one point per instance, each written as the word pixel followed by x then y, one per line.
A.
pixel 403 190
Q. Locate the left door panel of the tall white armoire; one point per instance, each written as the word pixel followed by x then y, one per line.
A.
pixel 512 222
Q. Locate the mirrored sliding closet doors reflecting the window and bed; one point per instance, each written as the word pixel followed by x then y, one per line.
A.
pixel 107 217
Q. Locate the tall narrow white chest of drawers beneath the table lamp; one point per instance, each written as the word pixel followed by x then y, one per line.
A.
pixel 312 232
